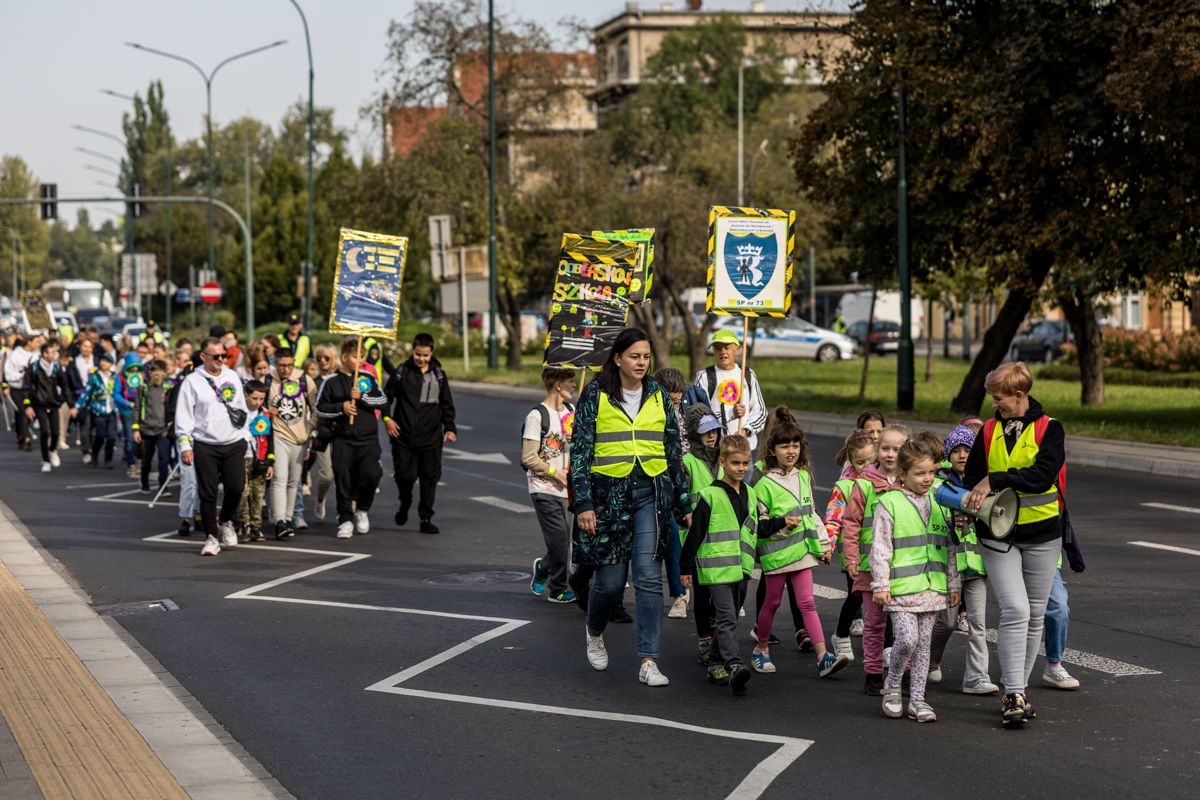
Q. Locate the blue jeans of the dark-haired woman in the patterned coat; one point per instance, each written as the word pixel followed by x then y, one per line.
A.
pixel 610 584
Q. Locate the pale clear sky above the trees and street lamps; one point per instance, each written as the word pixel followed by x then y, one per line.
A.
pixel 57 57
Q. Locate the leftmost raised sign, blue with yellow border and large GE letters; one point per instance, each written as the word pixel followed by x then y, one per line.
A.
pixel 367 285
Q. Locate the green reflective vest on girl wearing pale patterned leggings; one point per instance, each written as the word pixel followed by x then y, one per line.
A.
pixel 920 552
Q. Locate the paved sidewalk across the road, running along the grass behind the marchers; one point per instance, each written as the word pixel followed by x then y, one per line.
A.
pixel 1082 452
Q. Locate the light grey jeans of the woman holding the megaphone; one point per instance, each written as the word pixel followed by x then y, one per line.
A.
pixel 1022 580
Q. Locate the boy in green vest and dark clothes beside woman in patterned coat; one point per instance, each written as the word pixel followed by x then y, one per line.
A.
pixel 719 550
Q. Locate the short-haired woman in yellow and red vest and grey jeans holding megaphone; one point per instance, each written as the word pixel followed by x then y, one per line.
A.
pixel 1024 450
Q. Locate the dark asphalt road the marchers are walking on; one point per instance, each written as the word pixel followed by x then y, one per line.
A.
pixel 494 717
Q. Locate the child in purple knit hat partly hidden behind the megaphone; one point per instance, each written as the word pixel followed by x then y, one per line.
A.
pixel 975 588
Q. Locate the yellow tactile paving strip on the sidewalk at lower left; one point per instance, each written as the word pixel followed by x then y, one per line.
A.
pixel 79 745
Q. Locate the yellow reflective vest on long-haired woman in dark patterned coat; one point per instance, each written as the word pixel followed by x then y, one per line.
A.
pixel 621 442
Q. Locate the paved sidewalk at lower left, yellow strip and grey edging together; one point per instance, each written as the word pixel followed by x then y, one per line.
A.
pixel 83 715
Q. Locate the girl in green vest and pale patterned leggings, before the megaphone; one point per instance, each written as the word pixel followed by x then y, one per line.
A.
pixel 913 574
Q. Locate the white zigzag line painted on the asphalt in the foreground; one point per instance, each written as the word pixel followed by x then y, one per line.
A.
pixel 751 789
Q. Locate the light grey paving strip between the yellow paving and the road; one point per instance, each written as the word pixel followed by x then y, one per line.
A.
pixel 202 756
